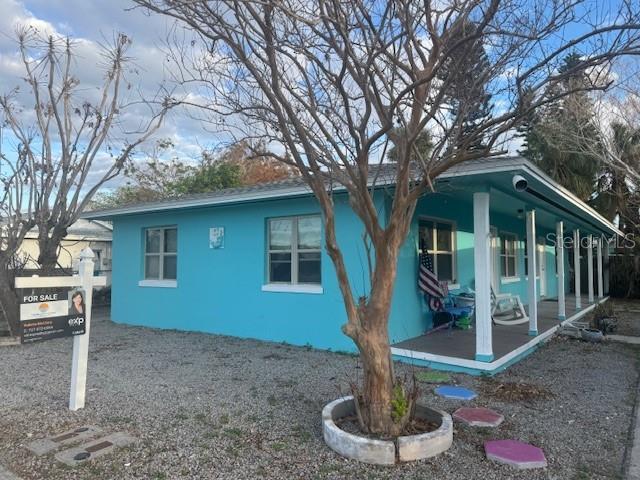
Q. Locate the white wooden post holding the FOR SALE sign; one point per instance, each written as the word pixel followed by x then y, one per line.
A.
pixel 86 281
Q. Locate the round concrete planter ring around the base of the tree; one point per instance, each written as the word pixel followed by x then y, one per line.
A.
pixel 383 452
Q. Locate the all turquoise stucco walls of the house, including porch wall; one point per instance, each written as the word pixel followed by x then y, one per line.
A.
pixel 220 290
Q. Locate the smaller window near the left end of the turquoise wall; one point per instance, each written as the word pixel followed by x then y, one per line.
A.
pixel 161 253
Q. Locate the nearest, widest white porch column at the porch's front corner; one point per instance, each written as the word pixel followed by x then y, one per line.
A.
pixel 482 267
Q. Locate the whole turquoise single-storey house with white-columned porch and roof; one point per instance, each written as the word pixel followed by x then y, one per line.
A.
pixel 250 263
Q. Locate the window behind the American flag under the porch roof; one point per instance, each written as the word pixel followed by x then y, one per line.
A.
pixel 437 238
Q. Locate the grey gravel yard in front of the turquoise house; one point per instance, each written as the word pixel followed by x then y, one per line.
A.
pixel 212 407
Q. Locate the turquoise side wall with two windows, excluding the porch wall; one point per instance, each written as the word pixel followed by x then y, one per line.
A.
pixel 219 291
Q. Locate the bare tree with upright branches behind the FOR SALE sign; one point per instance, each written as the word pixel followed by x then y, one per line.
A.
pixel 59 135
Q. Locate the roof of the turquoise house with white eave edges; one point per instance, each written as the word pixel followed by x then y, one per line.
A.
pixel 495 172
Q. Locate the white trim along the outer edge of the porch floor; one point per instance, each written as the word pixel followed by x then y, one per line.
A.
pixel 496 364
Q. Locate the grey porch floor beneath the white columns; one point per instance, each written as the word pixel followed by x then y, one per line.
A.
pixel 462 343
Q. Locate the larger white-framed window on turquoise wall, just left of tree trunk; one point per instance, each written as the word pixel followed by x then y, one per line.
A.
pixel 294 250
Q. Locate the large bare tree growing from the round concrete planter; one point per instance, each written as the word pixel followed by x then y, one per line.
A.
pixel 333 82
